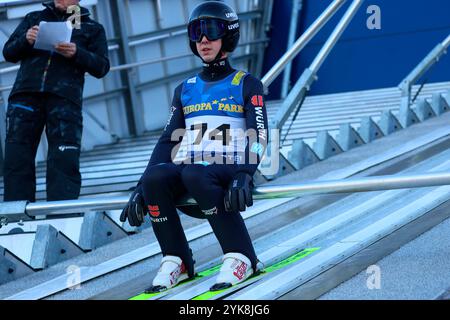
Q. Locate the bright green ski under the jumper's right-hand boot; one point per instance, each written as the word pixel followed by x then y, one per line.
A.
pixel 208 295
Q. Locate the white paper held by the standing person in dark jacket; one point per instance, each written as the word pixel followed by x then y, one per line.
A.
pixel 52 33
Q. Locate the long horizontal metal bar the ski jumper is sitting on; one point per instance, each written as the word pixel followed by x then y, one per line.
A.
pixel 351 185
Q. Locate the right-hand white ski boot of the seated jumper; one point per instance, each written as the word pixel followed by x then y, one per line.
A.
pixel 236 268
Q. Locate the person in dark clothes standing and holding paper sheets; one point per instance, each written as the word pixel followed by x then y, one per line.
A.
pixel 48 93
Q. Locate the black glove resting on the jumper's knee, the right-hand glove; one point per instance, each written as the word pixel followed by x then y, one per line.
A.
pixel 239 194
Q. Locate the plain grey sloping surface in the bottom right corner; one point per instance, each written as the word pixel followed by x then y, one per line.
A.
pixel 420 270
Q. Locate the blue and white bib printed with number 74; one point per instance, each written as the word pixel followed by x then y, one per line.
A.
pixel 214 116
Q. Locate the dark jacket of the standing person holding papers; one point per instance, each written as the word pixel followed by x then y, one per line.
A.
pixel 44 71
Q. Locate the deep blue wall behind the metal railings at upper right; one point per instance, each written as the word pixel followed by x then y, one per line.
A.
pixel 363 58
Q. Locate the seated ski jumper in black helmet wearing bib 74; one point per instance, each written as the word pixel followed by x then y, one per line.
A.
pixel 215 108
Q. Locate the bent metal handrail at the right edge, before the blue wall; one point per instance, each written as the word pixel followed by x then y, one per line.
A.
pixel 429 61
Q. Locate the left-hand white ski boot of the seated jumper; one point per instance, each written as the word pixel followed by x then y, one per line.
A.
pixel 171 271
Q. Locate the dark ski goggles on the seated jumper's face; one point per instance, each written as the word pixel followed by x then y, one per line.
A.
pixel 213 29
